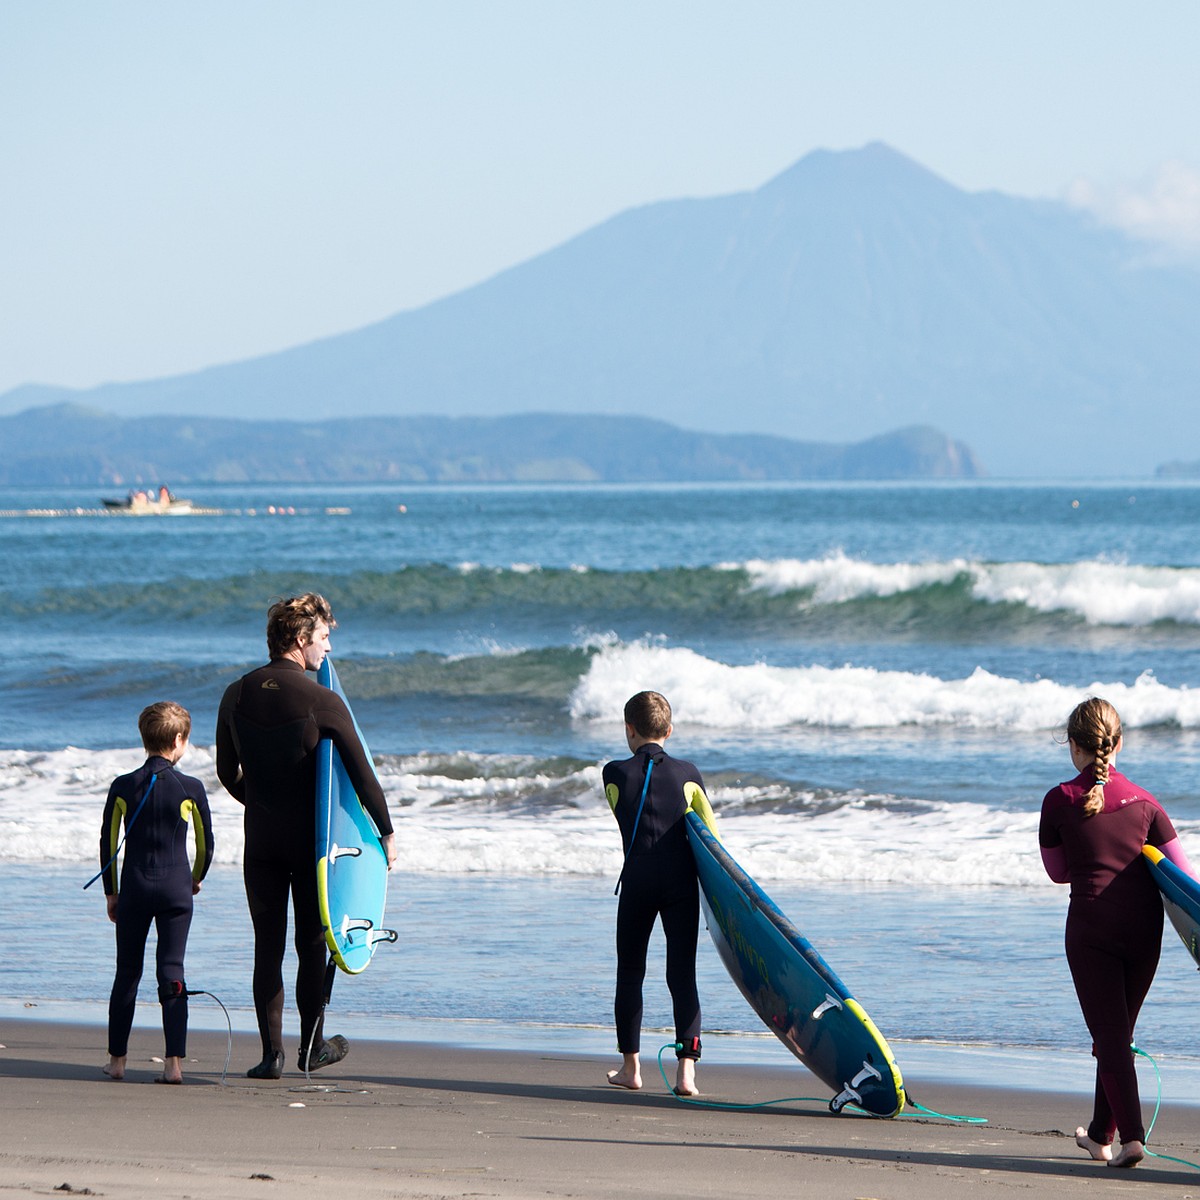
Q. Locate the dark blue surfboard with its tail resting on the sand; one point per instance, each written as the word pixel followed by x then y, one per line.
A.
pixel 791 988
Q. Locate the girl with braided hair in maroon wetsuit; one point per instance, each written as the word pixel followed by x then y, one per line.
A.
pixel 1093 832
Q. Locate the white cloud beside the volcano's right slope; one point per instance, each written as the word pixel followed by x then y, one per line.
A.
pixel 1163 209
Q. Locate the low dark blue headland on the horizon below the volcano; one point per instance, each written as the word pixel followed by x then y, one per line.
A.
pixel 70 445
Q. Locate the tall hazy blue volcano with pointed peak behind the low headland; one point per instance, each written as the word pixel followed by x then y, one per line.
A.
pixel 853 295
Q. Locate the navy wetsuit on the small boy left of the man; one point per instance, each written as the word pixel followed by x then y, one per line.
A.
pixel 155 887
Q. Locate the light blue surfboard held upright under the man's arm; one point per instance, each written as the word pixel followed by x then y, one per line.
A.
pixel 352 868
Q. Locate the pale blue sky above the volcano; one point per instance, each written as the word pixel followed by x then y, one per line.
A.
pixel 185 183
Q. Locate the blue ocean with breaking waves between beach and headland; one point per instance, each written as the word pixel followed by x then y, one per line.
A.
pixel 873 679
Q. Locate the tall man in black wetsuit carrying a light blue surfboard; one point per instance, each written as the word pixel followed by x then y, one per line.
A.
pixel 268 730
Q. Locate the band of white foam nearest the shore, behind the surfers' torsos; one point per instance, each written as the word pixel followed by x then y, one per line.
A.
pixel 470 814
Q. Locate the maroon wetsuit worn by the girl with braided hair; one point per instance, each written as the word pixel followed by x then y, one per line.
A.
pixel 1114 929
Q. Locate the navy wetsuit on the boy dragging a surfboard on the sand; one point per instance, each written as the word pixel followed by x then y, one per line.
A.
pixel 659 880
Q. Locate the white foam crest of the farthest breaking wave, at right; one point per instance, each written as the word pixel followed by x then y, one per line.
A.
pixel 1103 593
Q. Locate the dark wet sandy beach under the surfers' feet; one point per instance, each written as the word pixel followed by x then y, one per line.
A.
pixel 425 1120
